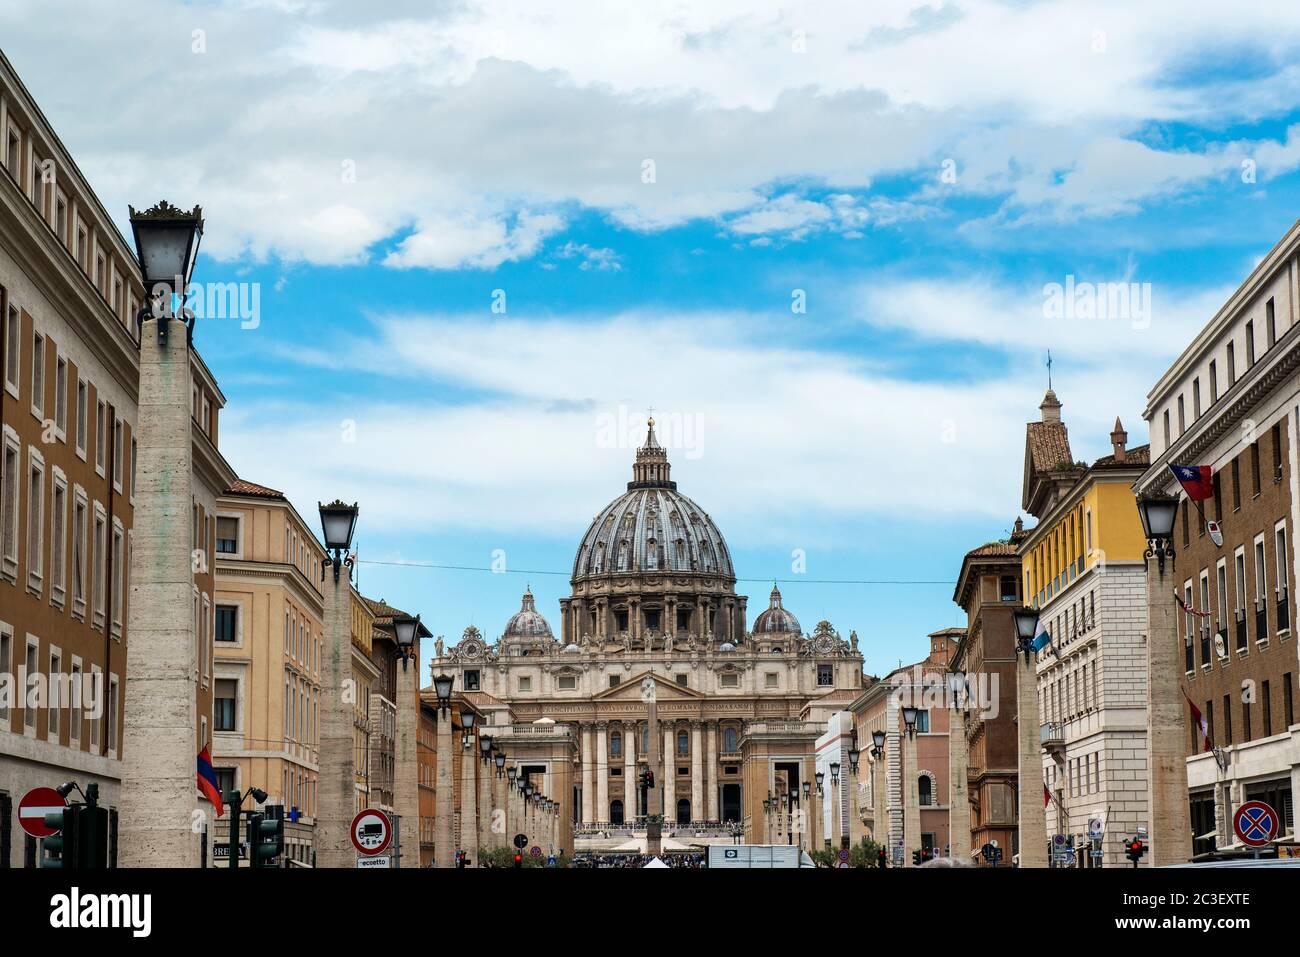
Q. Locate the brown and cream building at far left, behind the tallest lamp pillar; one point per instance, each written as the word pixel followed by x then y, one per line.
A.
pixel 70 395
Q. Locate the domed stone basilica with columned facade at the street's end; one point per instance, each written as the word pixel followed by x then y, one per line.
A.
pixel 739 707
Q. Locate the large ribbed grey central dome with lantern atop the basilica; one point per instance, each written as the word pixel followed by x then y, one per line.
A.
pixel 652 529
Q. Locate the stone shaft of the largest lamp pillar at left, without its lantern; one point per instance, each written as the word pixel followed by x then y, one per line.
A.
pixel 161 737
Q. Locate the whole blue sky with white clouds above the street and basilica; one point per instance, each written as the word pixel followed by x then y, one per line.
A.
pixel 479 241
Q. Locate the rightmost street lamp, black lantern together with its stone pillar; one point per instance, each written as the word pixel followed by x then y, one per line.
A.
pixel 1167 764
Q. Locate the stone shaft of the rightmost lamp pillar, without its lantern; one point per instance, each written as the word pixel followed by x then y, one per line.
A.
pixel 1167 714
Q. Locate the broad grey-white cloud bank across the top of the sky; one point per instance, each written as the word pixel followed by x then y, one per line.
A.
pixel 473 124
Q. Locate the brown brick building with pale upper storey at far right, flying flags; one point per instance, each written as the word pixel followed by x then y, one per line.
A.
pixel 1232 401
